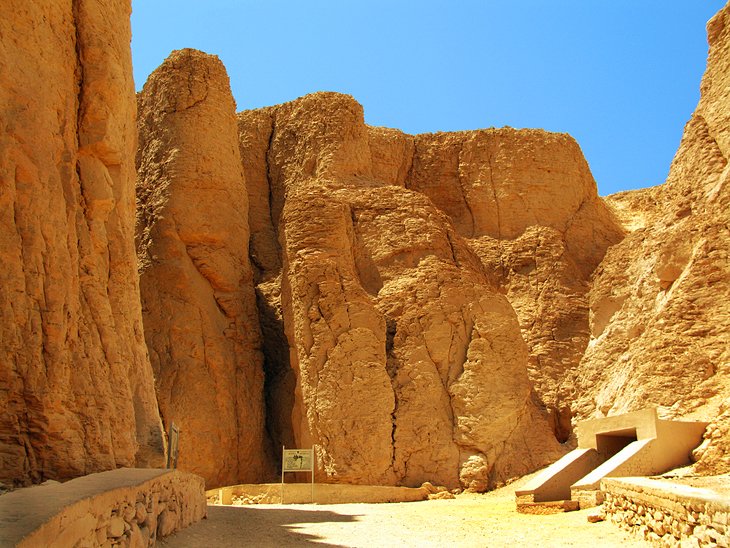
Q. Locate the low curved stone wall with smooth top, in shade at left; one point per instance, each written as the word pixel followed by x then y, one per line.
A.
pixel 125 507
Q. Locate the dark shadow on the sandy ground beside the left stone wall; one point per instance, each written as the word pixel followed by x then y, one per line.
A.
pixel 254 526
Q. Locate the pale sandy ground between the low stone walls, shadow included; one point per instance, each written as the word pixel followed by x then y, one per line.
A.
pixel 468 520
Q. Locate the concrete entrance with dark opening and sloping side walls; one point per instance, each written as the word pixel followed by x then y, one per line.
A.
pixel 634 444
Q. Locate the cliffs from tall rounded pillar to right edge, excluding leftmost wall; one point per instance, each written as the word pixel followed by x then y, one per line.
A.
pixel 437 307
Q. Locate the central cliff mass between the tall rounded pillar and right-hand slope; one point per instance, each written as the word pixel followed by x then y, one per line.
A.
pixel 406 362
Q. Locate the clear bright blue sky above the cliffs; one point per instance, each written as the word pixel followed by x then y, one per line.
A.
pixel 621 76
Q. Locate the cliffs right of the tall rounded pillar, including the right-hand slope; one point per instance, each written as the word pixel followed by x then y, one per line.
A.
pixel 397 277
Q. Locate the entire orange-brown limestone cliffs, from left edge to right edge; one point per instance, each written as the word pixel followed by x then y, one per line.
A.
pixel 439 307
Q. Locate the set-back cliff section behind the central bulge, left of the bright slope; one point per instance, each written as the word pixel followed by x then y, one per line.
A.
pixel 527 204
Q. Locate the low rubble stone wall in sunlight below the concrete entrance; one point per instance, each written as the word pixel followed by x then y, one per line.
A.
pixel 668 513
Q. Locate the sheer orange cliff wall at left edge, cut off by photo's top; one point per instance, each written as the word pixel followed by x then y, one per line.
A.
pixel 76 387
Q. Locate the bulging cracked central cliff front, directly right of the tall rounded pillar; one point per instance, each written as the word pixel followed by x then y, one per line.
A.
pixel 406 362
